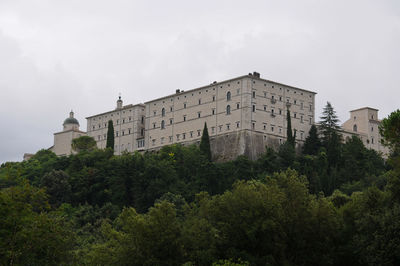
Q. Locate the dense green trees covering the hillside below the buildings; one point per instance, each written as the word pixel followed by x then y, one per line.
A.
pixel 336 203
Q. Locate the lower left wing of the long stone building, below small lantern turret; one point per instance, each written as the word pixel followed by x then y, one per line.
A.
pixel 128 122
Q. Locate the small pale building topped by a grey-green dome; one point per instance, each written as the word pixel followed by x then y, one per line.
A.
pixel 63 139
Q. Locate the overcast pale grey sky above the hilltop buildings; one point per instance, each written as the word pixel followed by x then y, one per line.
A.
pixel 80 54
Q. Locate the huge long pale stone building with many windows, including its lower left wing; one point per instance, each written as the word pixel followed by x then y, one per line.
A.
pixel 243 115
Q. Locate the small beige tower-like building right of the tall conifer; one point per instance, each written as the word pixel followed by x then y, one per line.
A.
pixel 364 123
